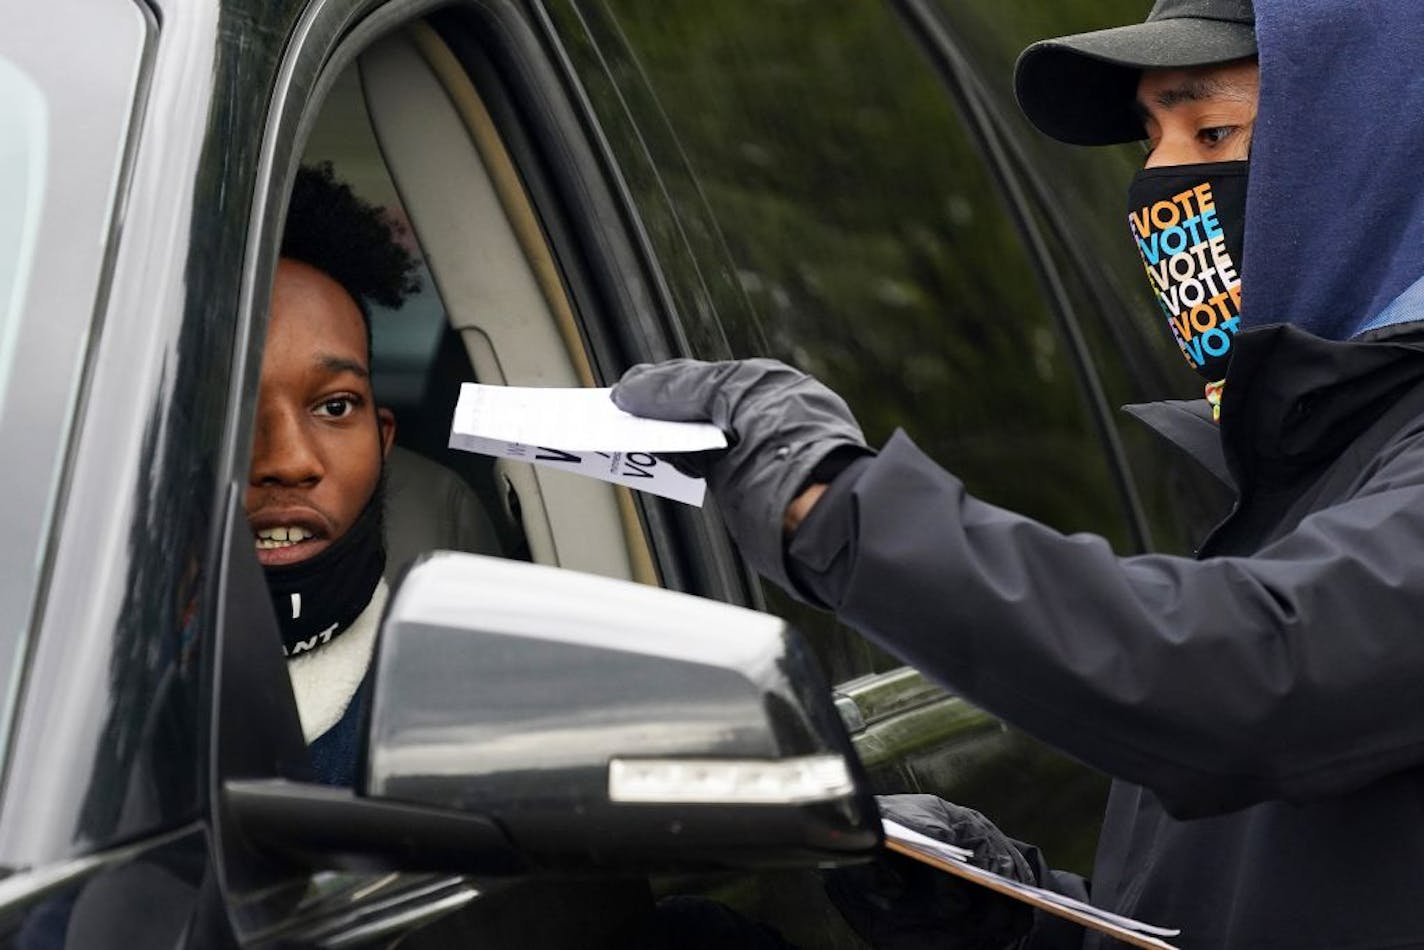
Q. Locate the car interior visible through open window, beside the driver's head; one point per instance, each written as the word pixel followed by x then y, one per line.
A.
pixel 408 130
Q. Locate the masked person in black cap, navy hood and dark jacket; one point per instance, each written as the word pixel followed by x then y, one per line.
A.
pixel 1257 704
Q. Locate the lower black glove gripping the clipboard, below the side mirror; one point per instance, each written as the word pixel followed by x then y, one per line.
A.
pixel 899 904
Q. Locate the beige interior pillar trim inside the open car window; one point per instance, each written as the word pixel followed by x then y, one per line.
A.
pixel 509 318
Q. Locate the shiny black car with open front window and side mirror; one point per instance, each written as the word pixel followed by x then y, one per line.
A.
pixel 555 741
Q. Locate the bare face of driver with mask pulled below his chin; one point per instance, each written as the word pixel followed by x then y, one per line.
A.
pixel 320 439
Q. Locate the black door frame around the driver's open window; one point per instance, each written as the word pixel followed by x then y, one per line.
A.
pixel 565 173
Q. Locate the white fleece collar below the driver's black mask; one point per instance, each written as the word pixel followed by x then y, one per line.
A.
pixel 327 679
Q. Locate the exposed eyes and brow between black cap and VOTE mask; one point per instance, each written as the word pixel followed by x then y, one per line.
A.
pixel 1200 115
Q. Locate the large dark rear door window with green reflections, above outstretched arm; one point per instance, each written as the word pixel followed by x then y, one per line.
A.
pixel 812 153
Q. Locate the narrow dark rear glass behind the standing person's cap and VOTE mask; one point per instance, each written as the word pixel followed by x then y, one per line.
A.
pixel 1082 206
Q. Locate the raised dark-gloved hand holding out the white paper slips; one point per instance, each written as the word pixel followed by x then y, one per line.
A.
pixel 780 424
